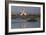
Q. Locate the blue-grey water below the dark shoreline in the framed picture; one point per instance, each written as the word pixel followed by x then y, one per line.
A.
pixel 22 23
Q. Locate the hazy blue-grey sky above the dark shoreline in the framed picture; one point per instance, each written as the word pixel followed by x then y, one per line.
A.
pixel 30 10
